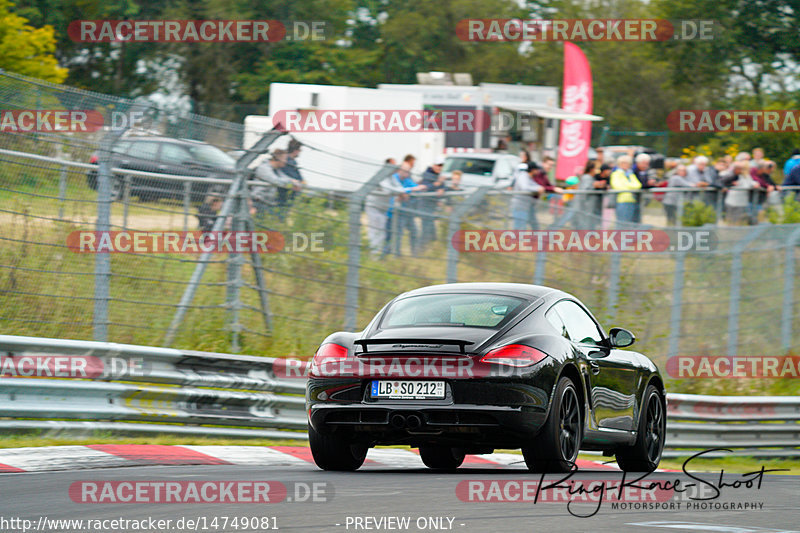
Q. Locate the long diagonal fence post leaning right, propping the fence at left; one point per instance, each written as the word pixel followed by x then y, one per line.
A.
pixel 227 208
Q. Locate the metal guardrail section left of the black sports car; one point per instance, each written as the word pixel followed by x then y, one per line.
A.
pixel 106 384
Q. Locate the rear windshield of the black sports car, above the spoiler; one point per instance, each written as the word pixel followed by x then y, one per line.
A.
pixel 469 310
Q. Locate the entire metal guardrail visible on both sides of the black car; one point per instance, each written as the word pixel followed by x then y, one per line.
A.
pixel 140 389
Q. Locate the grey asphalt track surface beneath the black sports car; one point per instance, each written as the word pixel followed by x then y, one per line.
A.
pixel 379 491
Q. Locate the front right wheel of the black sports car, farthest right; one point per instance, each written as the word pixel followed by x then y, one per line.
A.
pixel 645 454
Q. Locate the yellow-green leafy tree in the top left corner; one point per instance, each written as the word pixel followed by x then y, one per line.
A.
pixel 27 50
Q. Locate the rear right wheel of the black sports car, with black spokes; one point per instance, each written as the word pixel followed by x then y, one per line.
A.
pixel 555 448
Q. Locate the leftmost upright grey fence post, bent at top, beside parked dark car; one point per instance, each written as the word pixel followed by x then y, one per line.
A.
pixel 102 262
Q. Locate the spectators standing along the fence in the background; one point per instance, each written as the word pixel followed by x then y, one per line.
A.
pixel 601 193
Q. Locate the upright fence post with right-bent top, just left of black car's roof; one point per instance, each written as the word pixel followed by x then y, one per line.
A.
pixel 354 245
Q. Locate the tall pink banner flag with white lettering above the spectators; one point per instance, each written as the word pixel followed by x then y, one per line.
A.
pixel 573 144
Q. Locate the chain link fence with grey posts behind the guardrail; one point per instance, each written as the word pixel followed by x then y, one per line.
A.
pixel 142 168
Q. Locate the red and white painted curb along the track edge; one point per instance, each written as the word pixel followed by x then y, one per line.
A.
pixel 49 458
